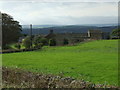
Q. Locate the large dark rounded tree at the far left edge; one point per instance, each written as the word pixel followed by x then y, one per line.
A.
pixel 11 30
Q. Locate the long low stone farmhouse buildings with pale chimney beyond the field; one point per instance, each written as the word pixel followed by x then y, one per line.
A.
pixel 73 38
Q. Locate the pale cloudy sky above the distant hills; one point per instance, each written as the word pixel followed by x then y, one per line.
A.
pixel 62 12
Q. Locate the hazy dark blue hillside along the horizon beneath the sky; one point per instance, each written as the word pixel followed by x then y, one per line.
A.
pixel 44 29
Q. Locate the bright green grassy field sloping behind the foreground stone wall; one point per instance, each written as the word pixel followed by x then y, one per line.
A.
pixel 95 61
